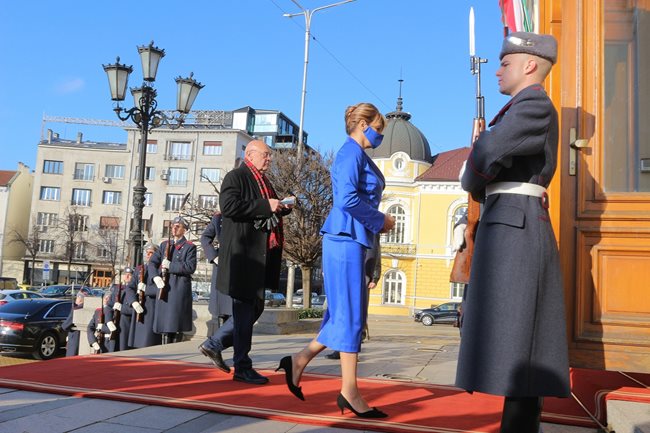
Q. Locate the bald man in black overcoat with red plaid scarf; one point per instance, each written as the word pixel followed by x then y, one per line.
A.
pixel 250 249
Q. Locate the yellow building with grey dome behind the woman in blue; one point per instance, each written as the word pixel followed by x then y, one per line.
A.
pixel 424 195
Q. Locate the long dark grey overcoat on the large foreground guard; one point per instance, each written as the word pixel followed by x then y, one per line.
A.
pixel 514 327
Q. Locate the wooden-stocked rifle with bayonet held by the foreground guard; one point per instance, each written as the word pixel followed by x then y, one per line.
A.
pixel 463 261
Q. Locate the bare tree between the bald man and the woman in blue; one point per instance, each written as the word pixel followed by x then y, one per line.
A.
pixel 312 186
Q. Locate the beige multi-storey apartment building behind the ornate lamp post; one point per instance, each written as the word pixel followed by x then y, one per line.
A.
pixel 82 208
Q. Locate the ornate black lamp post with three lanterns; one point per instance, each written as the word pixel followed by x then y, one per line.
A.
pixel 146 116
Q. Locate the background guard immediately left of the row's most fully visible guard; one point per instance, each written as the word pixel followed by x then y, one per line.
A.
pixel 141 333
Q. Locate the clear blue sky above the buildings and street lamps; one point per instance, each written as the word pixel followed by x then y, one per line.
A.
pixel 247 53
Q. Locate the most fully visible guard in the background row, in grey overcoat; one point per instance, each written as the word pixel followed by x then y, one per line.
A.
pixel 171 268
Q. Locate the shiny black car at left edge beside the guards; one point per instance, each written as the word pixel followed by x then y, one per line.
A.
pixel 34 326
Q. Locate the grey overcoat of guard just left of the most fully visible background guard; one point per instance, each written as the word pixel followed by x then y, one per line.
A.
pixel 141 332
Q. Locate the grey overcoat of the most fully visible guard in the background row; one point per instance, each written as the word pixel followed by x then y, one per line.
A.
pixel 175 314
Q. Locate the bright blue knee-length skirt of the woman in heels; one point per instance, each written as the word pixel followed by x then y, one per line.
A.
pixel 347 295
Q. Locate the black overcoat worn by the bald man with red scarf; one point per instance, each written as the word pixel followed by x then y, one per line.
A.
pixel 246 265
